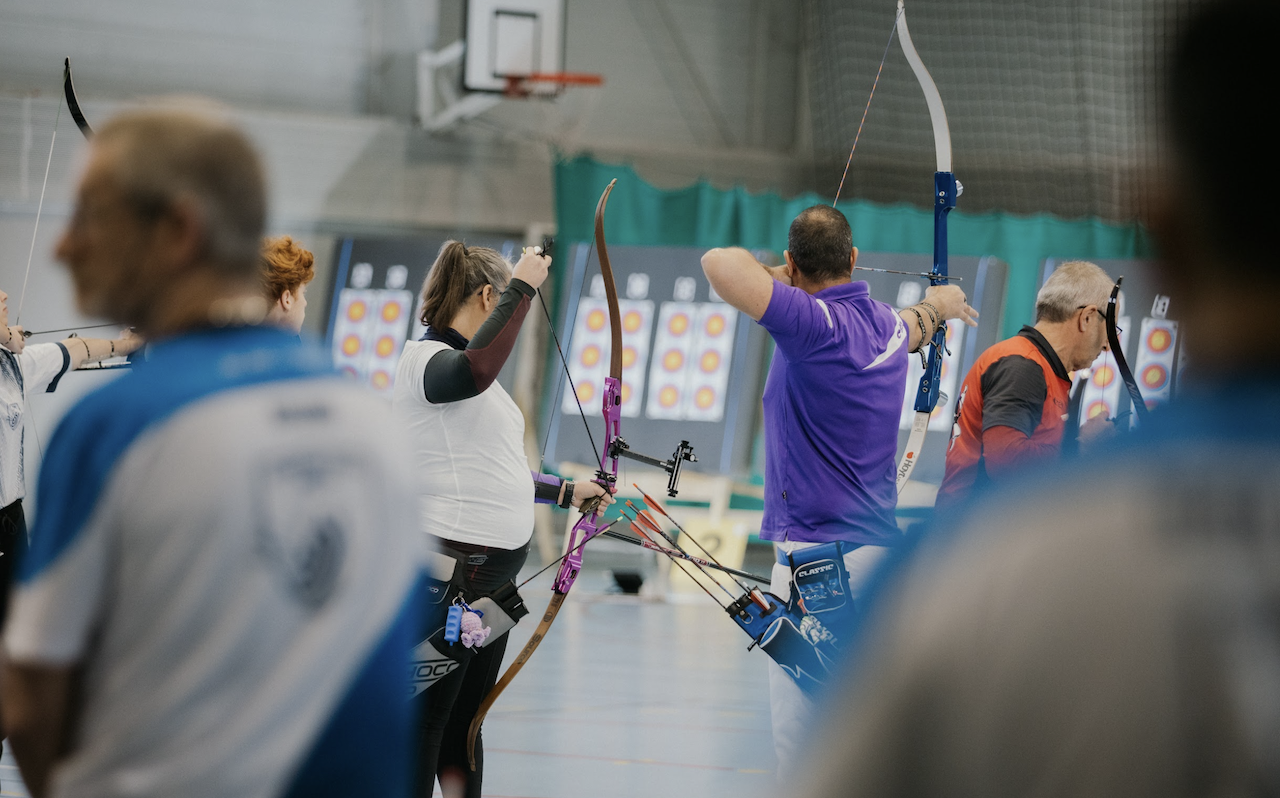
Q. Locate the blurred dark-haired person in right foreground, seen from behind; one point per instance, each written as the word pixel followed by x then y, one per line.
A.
pixel 1114 631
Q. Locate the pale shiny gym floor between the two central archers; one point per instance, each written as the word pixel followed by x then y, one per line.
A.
pixel 632 699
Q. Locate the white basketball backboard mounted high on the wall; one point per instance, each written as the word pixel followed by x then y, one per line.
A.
pixel 509 39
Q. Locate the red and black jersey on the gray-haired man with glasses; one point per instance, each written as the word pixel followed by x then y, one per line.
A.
pixel 1012 412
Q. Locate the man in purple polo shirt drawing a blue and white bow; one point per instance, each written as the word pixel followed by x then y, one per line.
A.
pixel 831 409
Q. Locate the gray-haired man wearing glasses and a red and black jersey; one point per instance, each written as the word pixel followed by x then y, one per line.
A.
pixel 1013 405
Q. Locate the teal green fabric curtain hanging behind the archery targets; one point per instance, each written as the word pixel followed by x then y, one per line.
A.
pixel 702 216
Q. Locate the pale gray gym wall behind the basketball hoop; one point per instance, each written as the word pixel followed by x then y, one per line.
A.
pixel 694 89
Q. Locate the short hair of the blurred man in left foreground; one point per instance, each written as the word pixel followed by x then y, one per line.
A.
pixel 164 156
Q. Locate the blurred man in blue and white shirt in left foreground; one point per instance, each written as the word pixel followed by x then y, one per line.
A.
pixel 222 583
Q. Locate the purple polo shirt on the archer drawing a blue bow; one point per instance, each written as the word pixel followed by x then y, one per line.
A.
pixel 831 411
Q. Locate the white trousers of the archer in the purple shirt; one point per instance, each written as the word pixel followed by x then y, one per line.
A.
pixel 792 710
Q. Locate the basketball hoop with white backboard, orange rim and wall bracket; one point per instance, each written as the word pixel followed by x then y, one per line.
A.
pixel 511 51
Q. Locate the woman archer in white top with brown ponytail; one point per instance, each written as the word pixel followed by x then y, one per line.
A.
pixel 469 446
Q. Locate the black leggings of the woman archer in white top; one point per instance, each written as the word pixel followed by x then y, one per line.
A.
pixel 452 703
